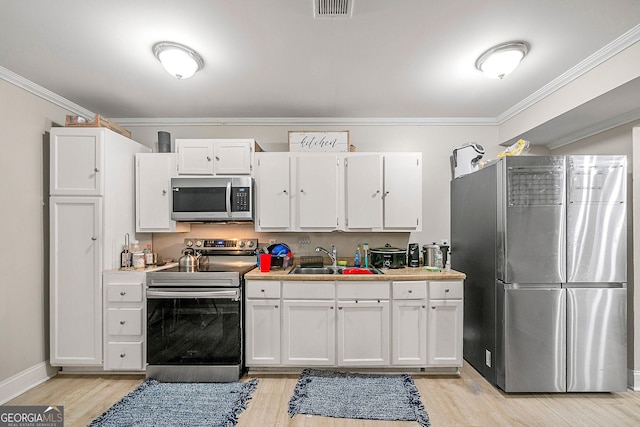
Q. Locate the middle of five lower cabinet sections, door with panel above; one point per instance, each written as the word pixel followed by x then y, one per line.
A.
pixel 363 323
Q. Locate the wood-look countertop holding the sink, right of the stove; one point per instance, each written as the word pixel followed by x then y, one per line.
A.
pixel 406 273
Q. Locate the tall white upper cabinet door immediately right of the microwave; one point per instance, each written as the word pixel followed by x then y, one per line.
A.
pixel 272 178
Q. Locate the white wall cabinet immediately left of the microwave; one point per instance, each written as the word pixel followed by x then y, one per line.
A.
pixel 153 193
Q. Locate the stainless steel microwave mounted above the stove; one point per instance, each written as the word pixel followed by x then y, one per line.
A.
pixel 212 199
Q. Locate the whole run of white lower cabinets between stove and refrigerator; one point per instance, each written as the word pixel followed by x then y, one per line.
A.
pixel 414 324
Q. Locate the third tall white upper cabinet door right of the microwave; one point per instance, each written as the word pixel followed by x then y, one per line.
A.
pixel 363 192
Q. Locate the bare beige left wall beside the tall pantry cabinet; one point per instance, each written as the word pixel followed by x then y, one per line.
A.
pixel 24 305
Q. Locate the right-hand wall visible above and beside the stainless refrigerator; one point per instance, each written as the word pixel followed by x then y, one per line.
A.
pixel 620 141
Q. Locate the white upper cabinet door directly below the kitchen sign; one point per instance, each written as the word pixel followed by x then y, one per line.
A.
pixel 317 191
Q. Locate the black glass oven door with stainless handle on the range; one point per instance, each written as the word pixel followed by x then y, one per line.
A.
pixel 194 326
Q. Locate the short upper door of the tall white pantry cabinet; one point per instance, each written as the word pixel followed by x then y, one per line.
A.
pixel 77 164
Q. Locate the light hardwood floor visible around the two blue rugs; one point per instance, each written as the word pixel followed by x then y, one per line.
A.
pixel 465 400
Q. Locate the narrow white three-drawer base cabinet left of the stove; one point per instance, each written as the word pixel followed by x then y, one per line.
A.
pixel 124 321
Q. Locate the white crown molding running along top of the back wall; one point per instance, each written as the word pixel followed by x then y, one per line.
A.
pixel 306 121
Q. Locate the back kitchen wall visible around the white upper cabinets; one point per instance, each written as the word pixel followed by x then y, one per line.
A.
pixel 436 144
